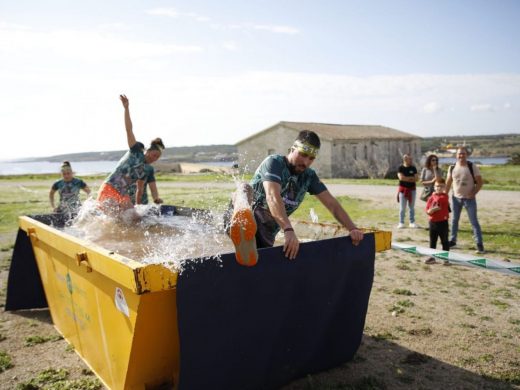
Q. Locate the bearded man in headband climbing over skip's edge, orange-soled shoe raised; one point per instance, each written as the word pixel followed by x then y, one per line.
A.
pixel 276 190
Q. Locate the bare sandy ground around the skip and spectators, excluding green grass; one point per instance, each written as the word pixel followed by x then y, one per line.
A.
pixel 427 327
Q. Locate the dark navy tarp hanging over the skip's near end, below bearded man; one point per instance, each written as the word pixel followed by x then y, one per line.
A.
pixel 261 327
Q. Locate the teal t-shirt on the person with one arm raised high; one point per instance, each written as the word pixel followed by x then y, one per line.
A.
pixel 128 170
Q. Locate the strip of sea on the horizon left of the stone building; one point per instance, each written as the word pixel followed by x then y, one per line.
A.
pixel 80 168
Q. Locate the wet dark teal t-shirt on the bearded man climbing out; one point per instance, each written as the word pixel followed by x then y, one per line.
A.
pixel 275 168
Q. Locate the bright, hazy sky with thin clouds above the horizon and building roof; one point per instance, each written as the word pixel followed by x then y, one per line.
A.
pixel 203 72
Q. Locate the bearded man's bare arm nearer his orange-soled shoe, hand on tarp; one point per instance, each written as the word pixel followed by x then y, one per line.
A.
pixel 277 209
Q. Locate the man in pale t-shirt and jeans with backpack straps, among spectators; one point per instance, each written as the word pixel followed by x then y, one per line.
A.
pixel 466 180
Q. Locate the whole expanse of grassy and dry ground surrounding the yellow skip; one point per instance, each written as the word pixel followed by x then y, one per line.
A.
pixel 454 327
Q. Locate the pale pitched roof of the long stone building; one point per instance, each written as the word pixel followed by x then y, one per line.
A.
pixel 333 132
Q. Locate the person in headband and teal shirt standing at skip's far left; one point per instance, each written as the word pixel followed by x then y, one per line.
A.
pixel 68 188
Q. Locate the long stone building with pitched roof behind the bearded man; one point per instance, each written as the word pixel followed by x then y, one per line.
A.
pixel 346 150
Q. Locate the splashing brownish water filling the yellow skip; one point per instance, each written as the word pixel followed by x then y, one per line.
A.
pixel 156 239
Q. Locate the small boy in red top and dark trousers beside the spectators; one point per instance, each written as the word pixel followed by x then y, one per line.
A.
pixel 438 209
